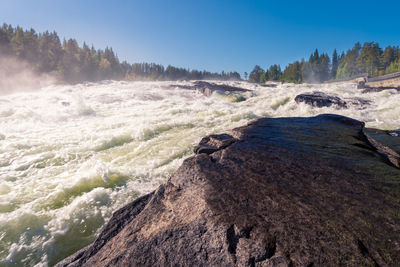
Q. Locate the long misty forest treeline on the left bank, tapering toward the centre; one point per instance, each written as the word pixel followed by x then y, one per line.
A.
pixel 73 63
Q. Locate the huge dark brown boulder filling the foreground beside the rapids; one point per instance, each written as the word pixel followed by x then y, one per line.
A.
pixel 319 191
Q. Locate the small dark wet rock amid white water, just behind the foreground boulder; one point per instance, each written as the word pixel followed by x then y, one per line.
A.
pixel 321 99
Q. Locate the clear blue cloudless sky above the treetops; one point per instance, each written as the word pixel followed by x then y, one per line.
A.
pixel 210 34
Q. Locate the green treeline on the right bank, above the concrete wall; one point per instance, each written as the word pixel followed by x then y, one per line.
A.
pixel 368 59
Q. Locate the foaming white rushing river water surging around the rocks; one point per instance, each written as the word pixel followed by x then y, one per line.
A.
pixel 72 155
